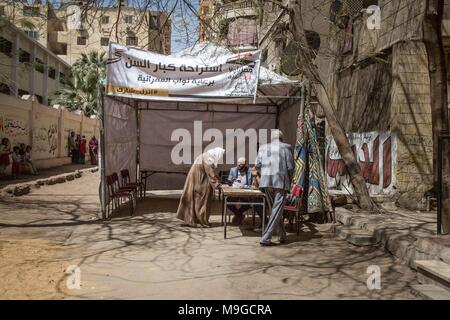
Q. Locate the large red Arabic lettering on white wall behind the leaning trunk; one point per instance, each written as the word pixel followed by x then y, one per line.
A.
pixel 376 156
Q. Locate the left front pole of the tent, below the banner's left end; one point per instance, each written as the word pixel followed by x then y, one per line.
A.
pixel 101 96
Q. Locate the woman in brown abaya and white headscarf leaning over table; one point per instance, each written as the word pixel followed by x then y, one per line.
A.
pixel 196 199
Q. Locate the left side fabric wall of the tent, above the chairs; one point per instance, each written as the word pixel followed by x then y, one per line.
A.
pixel 120 137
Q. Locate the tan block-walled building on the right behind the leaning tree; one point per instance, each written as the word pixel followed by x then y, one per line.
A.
pixel 382 94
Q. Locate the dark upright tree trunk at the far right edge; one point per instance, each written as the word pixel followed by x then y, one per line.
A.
pixel 432 37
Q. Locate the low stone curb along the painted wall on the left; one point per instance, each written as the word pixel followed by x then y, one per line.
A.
pixel 20 189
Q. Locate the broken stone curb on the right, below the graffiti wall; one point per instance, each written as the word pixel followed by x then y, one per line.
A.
pixel 396 238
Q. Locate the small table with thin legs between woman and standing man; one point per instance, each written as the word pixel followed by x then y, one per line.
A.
pixel 245 194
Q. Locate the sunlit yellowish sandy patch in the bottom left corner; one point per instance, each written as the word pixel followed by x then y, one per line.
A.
pixel 30 269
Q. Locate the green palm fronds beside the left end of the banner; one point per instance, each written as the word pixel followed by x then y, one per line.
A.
pixel 82 95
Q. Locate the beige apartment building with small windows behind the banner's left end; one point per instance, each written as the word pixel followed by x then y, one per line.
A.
pixel 74 30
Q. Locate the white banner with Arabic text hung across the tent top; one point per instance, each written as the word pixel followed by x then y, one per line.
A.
pixel 135 73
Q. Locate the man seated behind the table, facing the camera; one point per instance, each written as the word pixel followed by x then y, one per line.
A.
pixel 240 177
